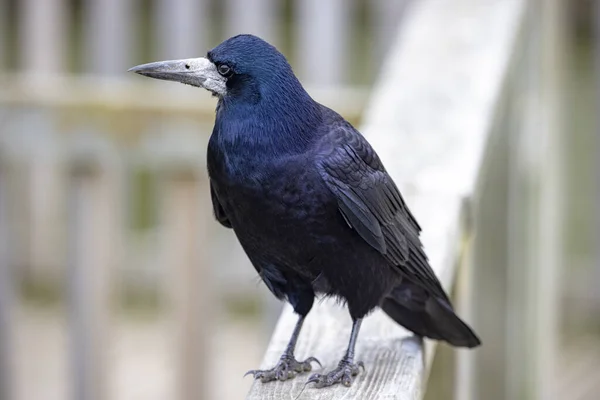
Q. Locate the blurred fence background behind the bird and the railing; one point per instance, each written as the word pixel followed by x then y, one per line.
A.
pixel 105 254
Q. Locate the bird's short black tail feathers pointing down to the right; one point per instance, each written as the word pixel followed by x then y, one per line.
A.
pixel 425 315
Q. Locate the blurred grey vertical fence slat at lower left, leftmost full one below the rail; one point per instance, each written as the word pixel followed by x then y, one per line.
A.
pixel 92 259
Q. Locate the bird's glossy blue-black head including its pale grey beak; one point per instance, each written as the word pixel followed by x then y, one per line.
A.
pixel 243 67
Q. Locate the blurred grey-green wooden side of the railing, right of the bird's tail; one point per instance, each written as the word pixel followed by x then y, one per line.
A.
pixel 515 282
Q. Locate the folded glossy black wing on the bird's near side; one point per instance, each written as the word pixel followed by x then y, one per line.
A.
pixel 373 206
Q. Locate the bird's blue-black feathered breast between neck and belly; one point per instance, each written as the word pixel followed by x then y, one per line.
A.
pixel 272 201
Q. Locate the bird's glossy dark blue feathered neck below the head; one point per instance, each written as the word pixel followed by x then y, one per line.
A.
pixel 274 125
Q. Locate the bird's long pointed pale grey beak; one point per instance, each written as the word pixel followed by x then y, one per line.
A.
pixel 198 72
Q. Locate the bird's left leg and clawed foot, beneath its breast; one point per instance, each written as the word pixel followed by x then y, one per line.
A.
pixel 288 366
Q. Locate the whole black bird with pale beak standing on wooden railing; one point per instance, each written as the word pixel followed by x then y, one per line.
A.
pixel 310 202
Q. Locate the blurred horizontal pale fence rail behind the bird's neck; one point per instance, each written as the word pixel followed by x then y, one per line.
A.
pixel 64 92
